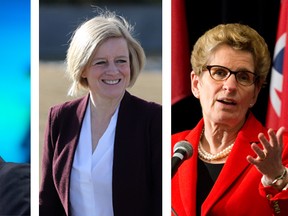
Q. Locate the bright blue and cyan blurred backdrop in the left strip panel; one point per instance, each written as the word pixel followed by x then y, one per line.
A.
pixel 15 85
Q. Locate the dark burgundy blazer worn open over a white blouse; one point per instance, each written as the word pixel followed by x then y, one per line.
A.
pixel 137 166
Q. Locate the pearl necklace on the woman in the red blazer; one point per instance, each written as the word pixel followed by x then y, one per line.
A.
pixel 208 156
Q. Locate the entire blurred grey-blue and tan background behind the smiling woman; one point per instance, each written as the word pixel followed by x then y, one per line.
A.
pixel 57 21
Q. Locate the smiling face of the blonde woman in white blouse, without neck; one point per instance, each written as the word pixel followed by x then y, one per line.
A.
pixel 108 74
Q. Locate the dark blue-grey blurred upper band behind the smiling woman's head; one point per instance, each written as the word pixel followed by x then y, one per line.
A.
pixel 59 18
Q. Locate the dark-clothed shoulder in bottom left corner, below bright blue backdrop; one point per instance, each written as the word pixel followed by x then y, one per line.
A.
pixel 14 188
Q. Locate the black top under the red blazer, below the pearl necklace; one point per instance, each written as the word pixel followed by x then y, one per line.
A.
pixel 207 175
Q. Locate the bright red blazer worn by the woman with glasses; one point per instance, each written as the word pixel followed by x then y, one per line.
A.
pixel 238 190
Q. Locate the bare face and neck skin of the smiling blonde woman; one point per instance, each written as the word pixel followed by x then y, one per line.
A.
pixel 108 76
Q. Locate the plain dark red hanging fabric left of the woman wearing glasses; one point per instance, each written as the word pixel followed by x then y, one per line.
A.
pixel 180 53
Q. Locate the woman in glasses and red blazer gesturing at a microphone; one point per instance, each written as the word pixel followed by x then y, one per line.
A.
pixel 239 167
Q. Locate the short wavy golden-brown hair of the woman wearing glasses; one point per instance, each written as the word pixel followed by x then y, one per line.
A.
pixel 237 36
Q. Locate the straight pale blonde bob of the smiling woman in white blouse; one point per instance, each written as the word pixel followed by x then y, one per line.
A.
pixel 89 36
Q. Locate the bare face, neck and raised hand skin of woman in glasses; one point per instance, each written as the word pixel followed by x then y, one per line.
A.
pixel 224 108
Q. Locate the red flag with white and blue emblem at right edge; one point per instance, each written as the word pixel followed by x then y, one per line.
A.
pixel 277 112
